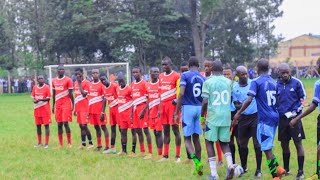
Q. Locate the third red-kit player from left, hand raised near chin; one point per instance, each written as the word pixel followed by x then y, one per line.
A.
pixel 81 89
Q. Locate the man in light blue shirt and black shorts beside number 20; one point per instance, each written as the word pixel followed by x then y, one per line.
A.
pixel 247 125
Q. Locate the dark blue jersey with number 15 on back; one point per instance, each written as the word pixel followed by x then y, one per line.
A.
pixel 263 89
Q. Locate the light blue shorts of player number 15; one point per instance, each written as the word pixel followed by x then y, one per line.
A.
pixel 265 136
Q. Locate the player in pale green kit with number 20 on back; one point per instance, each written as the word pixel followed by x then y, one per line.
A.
pixel 216 94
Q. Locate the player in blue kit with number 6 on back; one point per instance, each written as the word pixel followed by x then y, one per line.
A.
pixel 190 101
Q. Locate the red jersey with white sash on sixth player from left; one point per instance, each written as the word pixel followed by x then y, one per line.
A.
pixel 124 98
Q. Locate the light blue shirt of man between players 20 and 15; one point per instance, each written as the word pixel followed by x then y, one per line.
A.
pixel 239 93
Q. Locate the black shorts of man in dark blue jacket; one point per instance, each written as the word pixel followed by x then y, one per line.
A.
pixel 285 132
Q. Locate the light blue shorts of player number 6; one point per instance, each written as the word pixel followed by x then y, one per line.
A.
pixel 190 120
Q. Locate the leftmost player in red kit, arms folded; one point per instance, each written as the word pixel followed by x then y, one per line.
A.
pixel 42 115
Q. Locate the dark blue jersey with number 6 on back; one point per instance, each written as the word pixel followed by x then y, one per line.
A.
pixel 193 82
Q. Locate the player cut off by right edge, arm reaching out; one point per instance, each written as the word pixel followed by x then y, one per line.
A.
pixel 313 106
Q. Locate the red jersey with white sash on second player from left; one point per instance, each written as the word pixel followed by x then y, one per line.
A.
pixel 62 86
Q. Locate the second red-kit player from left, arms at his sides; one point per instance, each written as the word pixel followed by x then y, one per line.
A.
pixel 63 103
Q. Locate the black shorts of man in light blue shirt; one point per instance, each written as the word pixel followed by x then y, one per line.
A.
pixel 247 127
